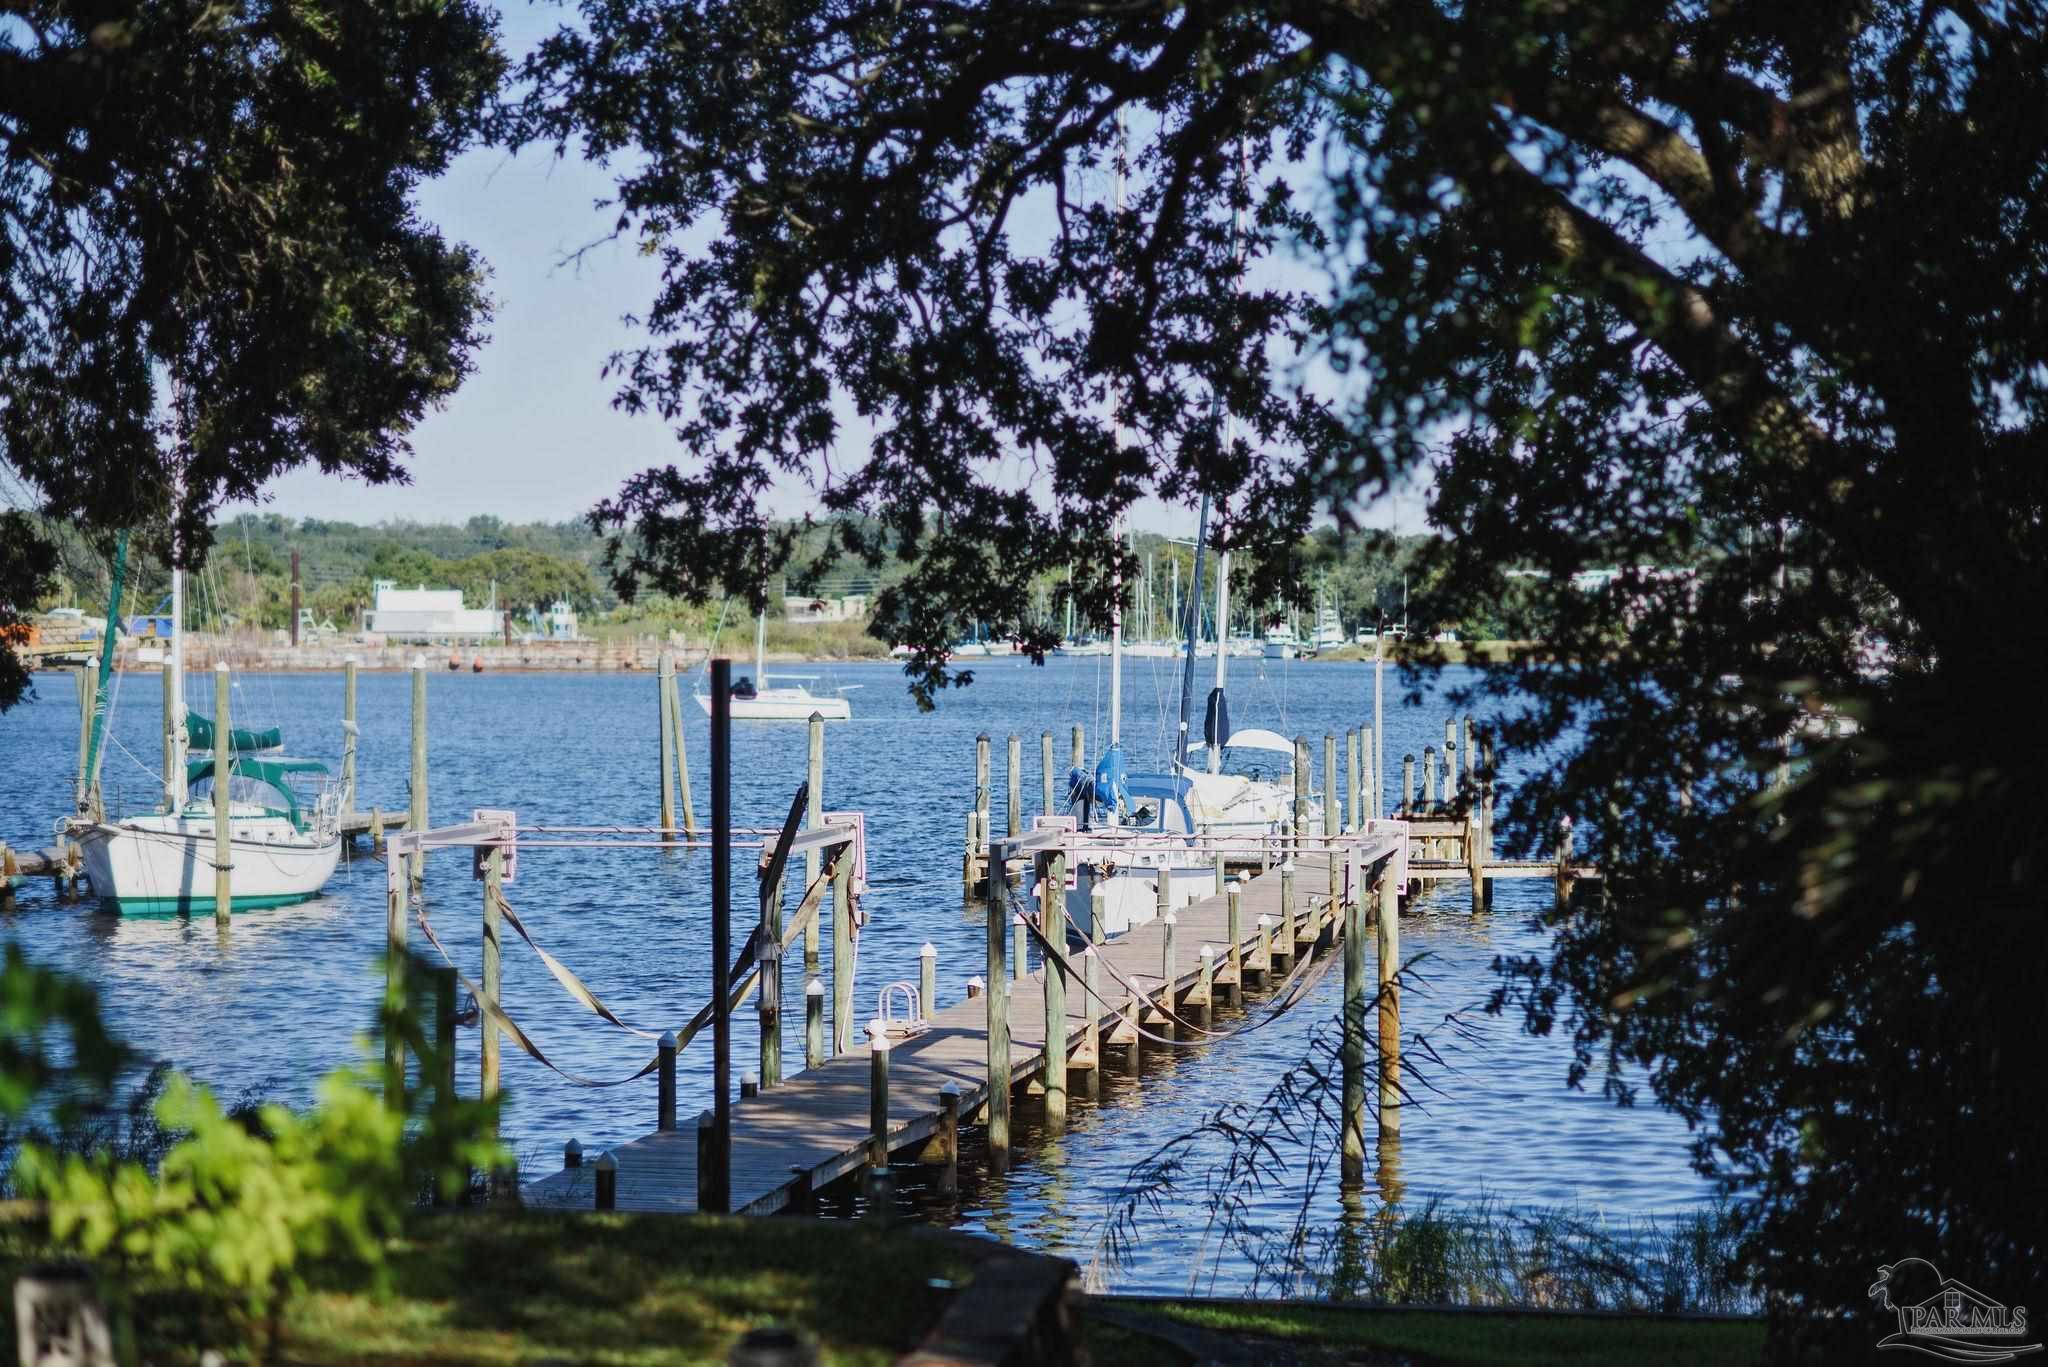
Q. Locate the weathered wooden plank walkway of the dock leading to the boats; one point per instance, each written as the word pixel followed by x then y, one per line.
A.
pixel 816 1128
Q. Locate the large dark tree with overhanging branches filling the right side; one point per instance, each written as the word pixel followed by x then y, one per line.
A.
pixel 1756 288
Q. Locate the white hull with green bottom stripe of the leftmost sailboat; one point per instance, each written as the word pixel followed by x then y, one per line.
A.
pixel 159 866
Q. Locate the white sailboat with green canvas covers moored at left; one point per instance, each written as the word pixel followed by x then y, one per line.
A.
pixel 284 821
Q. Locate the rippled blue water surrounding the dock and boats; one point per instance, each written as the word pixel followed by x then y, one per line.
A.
pixel 288 993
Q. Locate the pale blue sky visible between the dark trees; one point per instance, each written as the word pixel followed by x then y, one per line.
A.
pixel 534 436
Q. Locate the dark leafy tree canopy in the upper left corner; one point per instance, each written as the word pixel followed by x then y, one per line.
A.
pixel 210 261
